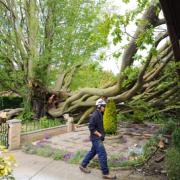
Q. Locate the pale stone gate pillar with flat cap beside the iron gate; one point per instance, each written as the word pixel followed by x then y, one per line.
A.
pixel 14 134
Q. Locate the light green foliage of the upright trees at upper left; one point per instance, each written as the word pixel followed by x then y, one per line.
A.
pixel 60 34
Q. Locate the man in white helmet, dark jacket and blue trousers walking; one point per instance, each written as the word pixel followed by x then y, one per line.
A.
pixel 97 135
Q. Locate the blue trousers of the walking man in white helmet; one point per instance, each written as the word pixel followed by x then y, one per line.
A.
pixel 99 149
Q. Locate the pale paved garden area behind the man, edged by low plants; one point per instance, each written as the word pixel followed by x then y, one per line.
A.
pixel 79 140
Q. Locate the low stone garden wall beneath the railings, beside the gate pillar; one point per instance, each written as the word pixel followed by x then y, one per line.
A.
pixel 43 133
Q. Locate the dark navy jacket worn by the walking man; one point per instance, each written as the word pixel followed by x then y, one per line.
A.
pixel 96 124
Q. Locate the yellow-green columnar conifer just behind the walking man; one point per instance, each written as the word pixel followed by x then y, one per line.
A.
pixel 110 118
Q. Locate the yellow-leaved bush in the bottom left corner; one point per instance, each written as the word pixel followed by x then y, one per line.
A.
pixel 6 164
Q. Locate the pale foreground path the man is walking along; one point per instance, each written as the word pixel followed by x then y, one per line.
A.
pixel 33 167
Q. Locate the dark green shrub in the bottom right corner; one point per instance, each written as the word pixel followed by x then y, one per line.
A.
pixel 173 163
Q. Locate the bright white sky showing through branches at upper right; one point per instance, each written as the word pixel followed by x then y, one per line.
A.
pixel 117 6
